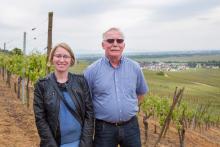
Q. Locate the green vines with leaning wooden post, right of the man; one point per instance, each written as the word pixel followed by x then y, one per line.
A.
pixel 177 112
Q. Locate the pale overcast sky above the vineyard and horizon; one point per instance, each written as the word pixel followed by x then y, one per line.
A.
pixel 148 25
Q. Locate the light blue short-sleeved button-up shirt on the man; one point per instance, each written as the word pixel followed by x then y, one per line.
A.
pixel 115 90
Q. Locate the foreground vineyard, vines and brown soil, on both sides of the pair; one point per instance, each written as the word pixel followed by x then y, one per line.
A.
pixel 164 120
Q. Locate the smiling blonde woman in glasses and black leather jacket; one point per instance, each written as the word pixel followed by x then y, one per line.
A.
pixel 62 104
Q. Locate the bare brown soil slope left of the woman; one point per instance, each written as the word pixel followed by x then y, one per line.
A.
pixel 17 127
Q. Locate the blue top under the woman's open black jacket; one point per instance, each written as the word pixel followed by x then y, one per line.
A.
pixel 70 128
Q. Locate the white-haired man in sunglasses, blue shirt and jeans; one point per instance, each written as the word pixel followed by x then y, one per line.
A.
pixel 117 85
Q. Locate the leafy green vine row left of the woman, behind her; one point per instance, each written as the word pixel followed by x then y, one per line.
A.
pixel 27 69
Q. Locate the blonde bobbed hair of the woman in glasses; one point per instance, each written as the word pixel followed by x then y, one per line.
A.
pixel 67 48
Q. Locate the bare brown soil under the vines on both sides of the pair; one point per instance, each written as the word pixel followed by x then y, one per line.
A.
pixel 17 127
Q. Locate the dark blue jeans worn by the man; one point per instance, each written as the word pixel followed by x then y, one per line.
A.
pixel 108 135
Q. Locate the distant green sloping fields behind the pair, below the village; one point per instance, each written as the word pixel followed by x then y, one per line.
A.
pixel 202 86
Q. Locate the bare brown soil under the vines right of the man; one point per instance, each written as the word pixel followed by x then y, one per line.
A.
pixel 193 138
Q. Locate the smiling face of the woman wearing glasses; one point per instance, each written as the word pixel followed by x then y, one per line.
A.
pixel 61 60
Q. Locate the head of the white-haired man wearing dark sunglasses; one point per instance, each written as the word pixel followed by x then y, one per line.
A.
pixel 113 44
